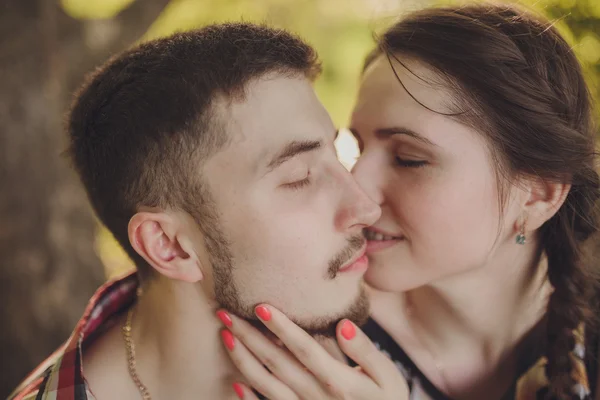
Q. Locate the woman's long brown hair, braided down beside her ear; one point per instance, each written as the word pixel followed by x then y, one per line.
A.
pixel 517 81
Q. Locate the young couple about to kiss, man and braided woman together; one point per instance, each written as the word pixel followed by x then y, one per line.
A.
pixel 209 157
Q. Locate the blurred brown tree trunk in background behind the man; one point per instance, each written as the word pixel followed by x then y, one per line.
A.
pixel 48 267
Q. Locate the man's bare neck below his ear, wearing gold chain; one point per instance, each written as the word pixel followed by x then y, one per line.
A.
pixel 178 349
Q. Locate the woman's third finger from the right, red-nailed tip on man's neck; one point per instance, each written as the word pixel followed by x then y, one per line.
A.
pixel 277 360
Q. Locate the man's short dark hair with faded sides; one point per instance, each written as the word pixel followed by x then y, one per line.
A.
pixel 142 124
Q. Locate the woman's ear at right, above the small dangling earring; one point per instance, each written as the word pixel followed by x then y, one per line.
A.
pixel 543 200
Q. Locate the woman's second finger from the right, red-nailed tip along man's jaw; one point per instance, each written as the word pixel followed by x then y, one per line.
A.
pixel 301 344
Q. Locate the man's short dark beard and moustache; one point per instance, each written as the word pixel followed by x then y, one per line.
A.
pixel 228 297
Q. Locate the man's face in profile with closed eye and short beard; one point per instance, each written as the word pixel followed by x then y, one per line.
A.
pixel 290 215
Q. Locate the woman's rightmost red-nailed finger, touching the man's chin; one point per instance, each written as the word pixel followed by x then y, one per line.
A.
pixel 356 345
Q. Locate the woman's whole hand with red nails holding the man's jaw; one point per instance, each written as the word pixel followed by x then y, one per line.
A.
pixel 307 371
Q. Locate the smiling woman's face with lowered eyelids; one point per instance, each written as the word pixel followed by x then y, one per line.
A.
pixel 433 177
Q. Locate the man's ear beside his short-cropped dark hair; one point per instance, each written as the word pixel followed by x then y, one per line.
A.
pixel 158 237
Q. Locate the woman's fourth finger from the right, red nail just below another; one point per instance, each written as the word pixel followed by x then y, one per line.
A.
pixel 258 377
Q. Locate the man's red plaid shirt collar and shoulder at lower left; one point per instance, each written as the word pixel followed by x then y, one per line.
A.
pixel 61 377
